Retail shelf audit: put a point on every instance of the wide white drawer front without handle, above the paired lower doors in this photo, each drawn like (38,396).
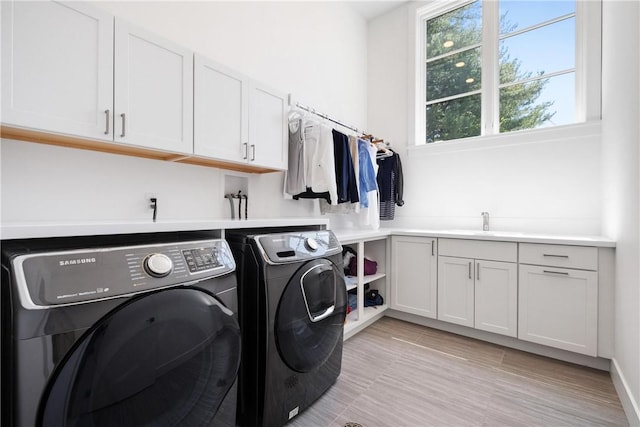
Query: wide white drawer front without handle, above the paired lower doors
(479,249)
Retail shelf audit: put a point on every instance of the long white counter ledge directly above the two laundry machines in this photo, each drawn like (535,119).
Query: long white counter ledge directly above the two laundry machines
(38,230)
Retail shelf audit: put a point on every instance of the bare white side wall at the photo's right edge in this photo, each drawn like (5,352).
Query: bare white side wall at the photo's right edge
(621,207)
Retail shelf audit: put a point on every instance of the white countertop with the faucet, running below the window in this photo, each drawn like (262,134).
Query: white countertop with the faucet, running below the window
(504,236)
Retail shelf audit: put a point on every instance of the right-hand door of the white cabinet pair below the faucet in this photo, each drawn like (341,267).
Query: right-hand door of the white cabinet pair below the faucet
(496,297)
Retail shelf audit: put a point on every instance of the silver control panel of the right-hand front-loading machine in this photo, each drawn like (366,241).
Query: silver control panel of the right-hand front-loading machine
(297,246)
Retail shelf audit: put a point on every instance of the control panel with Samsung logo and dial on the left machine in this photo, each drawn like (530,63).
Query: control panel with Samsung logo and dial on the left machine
(77,276)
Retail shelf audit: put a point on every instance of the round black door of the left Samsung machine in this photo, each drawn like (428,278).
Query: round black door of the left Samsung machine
(167,358)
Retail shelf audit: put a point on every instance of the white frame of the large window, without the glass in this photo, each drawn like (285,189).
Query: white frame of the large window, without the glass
(587,71)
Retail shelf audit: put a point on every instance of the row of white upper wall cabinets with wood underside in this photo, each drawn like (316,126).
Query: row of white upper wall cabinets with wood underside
(71,70)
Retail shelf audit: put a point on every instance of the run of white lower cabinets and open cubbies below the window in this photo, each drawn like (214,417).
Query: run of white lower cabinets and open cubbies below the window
(550,294)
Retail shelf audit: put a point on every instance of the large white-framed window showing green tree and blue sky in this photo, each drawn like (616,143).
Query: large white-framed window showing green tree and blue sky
(491,67)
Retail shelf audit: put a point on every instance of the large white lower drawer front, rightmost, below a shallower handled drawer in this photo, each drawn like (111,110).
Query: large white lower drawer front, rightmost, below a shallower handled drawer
(558,308)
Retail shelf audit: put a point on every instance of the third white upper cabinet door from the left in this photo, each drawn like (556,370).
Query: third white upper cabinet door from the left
(221,112)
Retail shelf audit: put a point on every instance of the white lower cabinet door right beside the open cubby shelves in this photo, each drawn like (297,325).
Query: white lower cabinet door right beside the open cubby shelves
(414,275)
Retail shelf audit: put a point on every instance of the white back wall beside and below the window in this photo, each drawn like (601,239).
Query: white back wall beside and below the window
(536,183)
